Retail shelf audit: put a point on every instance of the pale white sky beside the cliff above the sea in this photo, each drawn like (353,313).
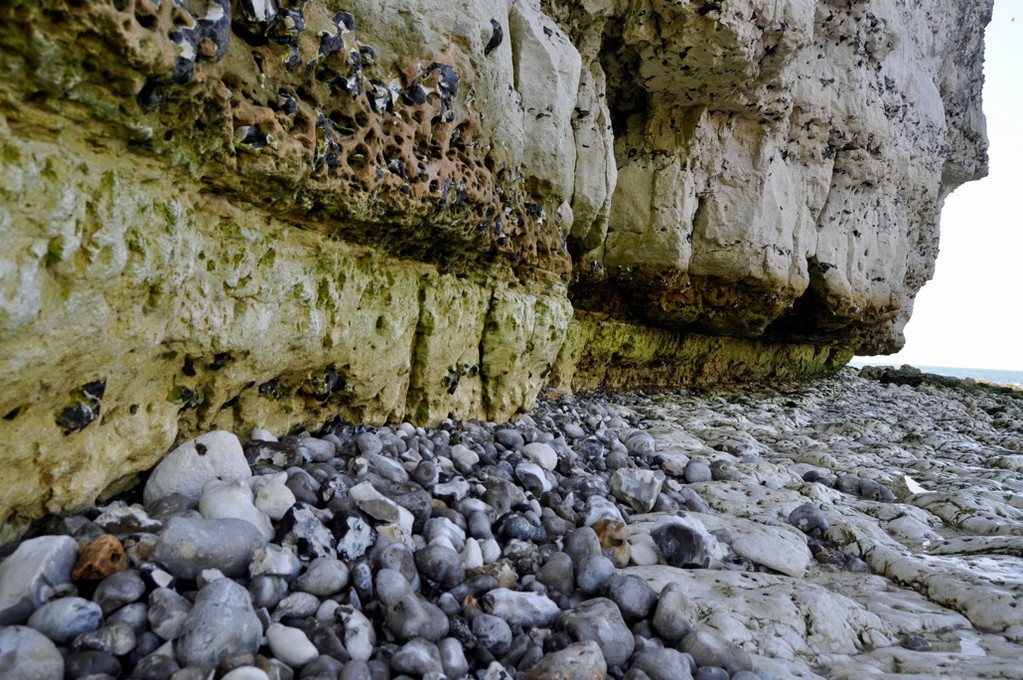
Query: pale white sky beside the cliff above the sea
(970,315)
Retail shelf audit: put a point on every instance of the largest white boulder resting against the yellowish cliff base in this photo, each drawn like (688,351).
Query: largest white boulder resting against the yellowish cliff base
(215,456)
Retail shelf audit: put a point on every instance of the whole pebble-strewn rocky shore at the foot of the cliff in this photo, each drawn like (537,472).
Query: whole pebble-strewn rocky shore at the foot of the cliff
(848,528)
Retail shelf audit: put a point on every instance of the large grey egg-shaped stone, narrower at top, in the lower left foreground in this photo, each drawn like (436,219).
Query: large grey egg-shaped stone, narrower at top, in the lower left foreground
(221,622)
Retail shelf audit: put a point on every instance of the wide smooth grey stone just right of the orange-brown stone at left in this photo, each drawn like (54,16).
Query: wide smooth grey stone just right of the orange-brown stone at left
(189,546)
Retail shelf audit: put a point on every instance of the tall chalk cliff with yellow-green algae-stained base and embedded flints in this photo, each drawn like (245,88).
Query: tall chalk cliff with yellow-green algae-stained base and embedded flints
(279,212)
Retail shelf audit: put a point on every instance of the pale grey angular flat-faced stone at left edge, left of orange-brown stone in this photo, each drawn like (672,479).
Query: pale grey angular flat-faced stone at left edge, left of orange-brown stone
(37,571)
